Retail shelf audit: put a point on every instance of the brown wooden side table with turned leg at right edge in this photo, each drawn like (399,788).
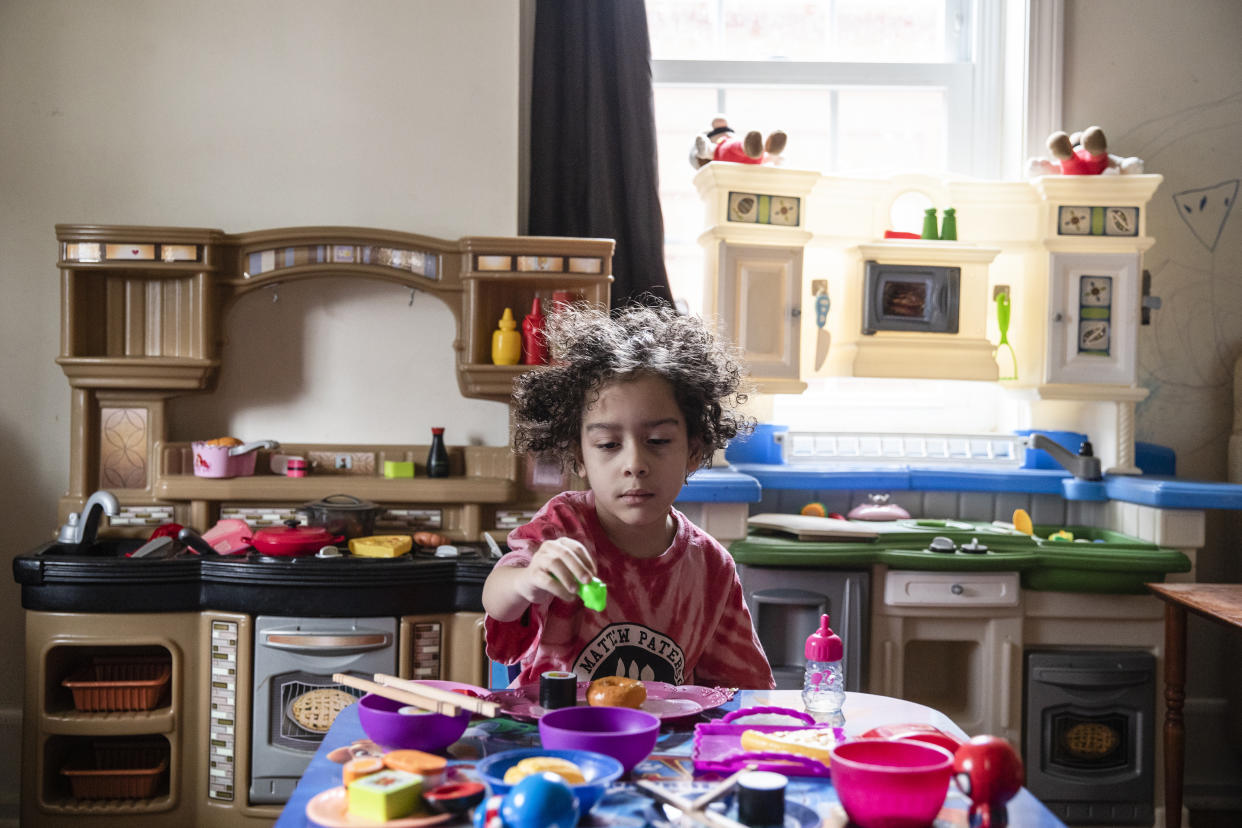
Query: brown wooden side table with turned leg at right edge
(1220,603)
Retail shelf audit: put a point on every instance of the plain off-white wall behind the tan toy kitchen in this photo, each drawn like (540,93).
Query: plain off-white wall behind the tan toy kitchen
(244,116)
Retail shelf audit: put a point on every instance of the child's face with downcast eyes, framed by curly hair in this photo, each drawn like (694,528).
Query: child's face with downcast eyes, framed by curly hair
(635,455)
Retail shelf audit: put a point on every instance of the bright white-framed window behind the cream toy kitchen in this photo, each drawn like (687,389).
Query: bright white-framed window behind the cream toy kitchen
(860,86)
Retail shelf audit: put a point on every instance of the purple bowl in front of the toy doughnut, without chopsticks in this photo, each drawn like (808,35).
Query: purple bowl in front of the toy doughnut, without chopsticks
(625,734)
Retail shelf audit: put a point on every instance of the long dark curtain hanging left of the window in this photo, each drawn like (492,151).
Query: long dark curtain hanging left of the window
(593,138)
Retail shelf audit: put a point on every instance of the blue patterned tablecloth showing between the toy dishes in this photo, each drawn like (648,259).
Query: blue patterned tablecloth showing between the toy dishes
(669,763)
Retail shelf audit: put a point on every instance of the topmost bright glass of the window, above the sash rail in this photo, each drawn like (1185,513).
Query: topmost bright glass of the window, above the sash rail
(800,30)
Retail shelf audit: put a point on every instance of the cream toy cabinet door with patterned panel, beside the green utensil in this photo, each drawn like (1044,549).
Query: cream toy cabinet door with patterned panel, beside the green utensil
(1094,311)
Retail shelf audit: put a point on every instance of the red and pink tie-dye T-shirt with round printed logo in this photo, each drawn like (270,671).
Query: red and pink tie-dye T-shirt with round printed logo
(679,618)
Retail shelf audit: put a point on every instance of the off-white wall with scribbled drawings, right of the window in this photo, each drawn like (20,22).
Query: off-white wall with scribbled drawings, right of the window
(1164,81)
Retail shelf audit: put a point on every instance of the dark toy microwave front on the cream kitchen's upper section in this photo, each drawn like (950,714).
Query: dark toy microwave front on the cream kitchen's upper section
(911,299)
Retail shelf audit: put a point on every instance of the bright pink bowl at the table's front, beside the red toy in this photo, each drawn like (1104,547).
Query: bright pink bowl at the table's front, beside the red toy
(891,784)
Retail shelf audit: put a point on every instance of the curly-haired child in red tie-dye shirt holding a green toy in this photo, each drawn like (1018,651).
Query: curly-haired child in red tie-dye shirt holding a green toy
(635,403)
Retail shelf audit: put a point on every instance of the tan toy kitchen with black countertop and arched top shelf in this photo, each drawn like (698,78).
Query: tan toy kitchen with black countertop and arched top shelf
(191,690)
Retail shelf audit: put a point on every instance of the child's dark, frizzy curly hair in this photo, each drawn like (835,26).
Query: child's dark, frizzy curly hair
(589,349)
